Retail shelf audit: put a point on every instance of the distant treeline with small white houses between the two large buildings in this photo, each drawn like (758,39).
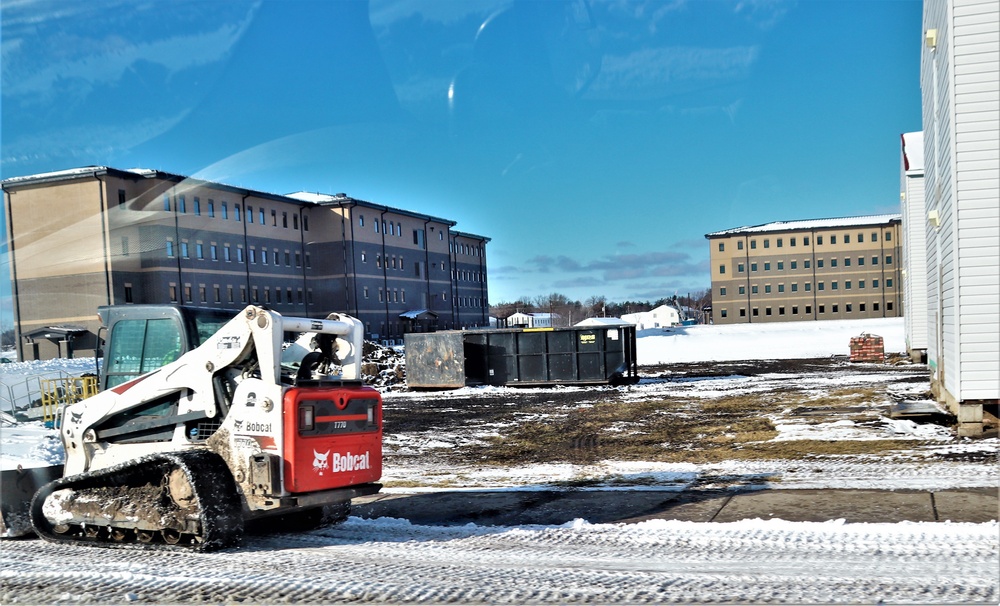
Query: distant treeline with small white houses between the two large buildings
(570,312)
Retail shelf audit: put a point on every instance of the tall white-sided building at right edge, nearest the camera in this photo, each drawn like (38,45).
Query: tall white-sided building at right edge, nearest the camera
(959,83)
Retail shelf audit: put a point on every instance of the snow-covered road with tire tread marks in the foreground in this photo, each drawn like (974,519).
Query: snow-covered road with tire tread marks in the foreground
(658,561)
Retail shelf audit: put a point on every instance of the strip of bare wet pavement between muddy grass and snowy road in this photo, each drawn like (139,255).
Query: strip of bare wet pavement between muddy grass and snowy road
(549,507)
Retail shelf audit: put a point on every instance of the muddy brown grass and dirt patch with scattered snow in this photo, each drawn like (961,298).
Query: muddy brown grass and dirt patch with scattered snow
(585,424)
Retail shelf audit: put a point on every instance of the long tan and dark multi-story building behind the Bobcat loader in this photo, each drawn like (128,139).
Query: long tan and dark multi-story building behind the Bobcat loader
(97,236)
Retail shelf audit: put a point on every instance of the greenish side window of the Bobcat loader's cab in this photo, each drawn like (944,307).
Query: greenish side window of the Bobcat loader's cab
(140,346)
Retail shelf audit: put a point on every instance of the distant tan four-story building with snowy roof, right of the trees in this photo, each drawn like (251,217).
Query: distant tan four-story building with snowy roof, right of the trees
(825,269)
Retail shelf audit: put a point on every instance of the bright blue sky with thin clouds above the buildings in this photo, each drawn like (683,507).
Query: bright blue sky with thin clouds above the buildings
(595,143)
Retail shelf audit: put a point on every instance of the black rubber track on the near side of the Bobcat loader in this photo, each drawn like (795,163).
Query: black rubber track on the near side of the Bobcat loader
(220,504)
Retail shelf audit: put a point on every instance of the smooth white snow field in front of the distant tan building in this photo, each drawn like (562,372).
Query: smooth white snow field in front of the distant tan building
(765,341)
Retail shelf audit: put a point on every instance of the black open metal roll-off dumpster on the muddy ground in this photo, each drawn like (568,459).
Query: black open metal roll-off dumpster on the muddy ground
(532,356)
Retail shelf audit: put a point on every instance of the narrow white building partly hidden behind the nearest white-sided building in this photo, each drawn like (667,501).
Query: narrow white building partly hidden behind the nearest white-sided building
(914,273)
